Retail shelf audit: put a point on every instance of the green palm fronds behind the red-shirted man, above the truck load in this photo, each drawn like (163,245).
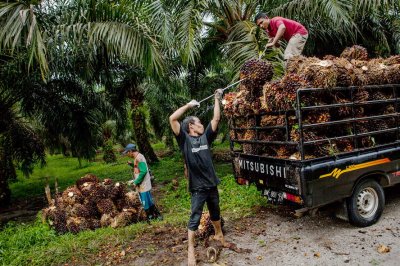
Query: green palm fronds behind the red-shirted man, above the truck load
(330,22)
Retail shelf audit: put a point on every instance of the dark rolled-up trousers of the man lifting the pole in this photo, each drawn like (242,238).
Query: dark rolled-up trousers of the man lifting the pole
(209,196)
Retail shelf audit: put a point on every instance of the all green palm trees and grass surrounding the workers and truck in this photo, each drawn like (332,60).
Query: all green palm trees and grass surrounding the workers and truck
(79,79)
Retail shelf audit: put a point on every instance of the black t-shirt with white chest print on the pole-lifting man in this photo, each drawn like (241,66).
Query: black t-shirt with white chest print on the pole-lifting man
(198,158)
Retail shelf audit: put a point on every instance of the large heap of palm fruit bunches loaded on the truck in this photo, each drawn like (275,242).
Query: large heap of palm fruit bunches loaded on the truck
(261,103)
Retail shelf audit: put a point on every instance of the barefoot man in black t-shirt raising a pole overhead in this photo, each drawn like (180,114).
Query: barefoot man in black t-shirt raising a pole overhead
(194,143)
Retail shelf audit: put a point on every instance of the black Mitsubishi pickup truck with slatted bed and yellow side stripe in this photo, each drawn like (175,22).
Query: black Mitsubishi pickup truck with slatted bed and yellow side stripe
(354,175)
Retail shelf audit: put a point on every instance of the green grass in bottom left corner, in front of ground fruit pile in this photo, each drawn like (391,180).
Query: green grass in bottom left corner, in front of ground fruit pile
(37,244)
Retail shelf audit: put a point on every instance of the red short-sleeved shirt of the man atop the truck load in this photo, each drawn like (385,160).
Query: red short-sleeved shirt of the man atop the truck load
(292,27)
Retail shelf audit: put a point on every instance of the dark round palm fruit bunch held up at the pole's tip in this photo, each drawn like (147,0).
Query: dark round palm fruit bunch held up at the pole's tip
(256,72)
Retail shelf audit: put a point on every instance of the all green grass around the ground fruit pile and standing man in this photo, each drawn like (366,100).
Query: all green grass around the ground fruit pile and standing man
(37,244)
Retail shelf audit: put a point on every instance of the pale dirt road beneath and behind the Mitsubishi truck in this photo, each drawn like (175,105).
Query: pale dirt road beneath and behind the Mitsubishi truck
(278,239)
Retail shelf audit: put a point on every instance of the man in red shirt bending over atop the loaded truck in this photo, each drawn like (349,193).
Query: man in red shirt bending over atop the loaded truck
(277,28)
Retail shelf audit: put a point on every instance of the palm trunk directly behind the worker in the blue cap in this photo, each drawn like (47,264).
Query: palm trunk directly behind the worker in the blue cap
(140,132)
